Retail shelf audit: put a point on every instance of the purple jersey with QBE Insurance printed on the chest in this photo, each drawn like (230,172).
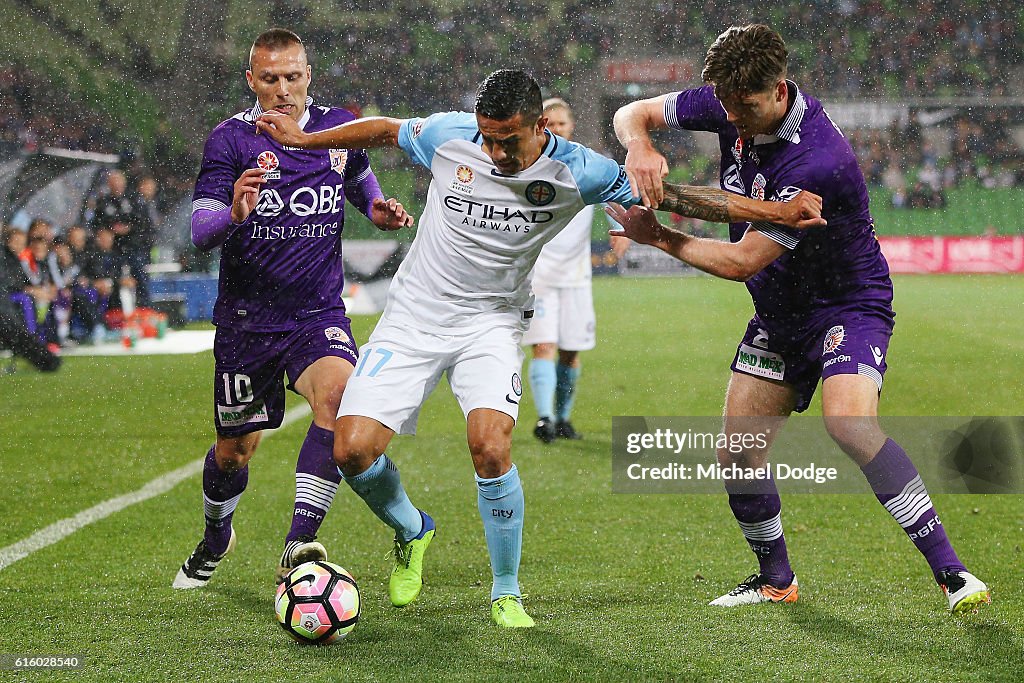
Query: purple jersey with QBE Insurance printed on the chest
(283,264)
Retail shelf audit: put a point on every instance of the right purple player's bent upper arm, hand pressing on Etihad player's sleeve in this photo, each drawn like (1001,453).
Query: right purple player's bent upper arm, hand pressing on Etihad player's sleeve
(646,167)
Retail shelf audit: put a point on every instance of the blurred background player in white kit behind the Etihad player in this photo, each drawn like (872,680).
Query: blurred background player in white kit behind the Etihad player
(564,320)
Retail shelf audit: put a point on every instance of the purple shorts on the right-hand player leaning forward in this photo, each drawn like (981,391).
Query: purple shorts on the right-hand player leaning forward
(846,345)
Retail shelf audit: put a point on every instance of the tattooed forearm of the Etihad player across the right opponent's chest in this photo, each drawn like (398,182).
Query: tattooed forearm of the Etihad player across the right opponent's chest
(803,211)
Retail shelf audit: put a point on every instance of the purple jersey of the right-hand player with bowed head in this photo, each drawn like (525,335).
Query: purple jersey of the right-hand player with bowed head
(825,271)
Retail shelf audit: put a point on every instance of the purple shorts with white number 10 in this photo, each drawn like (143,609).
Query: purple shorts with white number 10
(250,367)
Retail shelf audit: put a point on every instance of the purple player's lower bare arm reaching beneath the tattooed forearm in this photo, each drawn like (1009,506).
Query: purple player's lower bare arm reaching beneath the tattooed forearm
(739,262)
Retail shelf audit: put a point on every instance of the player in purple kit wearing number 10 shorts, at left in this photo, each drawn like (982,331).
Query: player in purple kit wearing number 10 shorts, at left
(278,215)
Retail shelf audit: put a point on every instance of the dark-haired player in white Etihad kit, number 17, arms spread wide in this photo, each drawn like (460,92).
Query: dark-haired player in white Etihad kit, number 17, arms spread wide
(502,188)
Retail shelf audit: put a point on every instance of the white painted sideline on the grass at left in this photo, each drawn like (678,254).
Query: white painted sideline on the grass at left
(62,530)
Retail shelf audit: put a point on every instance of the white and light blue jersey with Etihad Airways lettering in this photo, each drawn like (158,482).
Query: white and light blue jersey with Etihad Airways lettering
(482,232)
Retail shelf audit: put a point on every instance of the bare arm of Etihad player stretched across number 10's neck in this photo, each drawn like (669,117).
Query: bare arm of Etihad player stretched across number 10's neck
(369,133)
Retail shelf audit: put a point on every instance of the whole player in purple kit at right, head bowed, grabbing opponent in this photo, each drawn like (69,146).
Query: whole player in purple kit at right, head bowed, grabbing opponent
(822,297)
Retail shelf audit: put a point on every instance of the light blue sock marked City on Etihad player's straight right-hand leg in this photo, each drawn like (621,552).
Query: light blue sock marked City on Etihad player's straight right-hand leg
(501,505)
